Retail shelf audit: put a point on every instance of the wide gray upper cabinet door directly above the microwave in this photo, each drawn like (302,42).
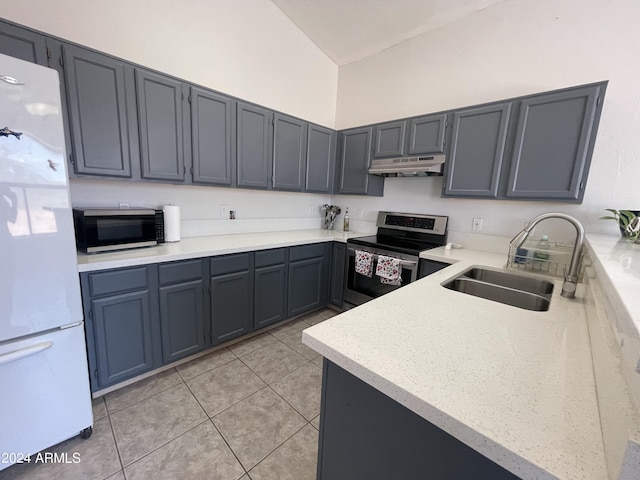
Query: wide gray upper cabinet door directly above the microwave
(99,115)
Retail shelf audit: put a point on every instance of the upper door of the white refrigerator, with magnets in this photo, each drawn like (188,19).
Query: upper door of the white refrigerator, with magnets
(39,286)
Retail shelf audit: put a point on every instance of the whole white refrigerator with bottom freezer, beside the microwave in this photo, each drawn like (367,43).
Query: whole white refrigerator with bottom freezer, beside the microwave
(44,384)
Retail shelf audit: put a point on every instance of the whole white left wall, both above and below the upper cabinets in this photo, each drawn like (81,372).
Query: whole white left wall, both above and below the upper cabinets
(245,48)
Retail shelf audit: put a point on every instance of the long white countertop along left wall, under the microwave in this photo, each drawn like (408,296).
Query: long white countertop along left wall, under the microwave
(208,246)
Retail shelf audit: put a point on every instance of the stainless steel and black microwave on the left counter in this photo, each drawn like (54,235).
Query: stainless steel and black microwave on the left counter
(109,229)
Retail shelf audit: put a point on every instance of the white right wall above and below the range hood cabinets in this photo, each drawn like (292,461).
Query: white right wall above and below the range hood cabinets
(514,48)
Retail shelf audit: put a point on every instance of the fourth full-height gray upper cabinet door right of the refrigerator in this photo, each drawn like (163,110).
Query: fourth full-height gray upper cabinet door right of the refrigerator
(253,146)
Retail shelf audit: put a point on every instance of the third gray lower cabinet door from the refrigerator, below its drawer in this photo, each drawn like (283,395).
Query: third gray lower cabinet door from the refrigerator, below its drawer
(231,306)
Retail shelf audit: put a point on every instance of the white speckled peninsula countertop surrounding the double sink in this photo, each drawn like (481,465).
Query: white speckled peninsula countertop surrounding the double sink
(515,385)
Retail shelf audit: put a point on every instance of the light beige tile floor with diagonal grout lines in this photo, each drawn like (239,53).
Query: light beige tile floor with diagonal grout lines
(246,412)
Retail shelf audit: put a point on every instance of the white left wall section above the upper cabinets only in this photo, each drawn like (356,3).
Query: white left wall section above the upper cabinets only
(245,48)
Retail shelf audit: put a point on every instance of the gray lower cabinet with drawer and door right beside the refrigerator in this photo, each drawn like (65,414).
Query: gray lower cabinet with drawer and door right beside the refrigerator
(123,334)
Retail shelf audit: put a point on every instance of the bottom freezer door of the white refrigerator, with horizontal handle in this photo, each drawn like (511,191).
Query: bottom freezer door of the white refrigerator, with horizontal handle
(45,391)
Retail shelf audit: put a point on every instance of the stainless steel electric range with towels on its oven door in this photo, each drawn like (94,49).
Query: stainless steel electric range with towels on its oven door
(400,235)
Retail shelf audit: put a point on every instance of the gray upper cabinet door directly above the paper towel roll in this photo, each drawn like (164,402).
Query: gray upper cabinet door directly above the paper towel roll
(160,124)
